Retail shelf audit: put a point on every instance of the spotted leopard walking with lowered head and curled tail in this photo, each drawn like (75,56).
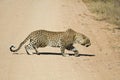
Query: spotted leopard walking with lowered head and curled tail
(62,39)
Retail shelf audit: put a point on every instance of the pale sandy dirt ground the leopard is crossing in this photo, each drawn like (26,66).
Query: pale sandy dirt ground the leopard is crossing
(20,17)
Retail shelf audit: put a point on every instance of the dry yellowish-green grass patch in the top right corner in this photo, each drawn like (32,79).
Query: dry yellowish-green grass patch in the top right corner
(108,10)
